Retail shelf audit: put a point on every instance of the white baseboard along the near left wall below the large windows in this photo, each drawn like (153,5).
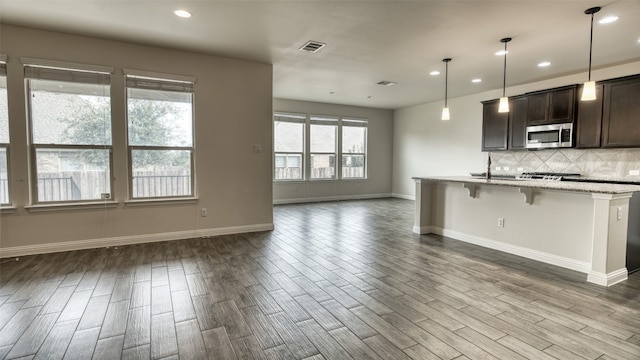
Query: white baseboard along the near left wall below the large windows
(18,251)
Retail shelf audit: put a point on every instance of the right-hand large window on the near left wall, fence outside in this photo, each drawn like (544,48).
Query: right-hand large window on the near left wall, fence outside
(160,137)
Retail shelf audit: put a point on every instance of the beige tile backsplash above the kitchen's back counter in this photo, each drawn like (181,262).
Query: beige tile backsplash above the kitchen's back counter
(595,163)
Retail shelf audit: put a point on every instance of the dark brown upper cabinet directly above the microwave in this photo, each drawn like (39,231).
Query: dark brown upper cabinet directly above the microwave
(551,106)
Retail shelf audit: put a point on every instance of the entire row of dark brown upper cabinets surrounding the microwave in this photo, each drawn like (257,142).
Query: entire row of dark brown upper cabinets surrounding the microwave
(610,121)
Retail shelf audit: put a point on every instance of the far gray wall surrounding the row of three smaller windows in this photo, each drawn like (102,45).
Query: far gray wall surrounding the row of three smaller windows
(379,153)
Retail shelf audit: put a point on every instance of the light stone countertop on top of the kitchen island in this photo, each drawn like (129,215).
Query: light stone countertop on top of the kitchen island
(585,187)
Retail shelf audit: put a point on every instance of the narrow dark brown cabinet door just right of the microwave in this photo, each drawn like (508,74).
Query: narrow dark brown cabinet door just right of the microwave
(589,120)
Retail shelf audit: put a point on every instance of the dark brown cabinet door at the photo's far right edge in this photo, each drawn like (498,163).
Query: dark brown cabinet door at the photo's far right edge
(621,113)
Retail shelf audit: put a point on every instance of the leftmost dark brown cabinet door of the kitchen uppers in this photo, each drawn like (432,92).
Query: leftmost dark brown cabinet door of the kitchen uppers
(495,127)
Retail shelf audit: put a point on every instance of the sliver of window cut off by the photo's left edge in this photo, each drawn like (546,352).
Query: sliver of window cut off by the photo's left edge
(4,136)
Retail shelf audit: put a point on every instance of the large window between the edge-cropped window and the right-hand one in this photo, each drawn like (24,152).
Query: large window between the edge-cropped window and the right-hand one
(70,134)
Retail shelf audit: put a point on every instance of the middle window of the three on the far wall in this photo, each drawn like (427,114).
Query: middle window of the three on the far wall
(323,132)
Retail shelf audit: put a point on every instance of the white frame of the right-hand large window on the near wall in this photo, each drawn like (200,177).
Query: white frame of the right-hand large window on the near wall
(160,82)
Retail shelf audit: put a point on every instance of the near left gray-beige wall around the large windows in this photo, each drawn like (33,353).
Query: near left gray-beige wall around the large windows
(233,111)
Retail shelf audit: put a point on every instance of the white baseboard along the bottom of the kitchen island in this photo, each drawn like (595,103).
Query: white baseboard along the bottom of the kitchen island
(567,263)
